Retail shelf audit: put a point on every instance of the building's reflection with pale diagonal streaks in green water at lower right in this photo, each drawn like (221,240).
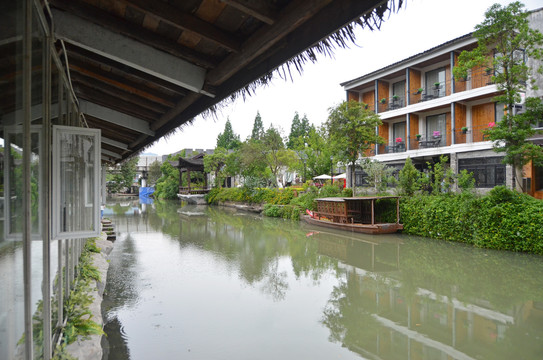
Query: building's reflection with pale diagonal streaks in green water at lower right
(399,319)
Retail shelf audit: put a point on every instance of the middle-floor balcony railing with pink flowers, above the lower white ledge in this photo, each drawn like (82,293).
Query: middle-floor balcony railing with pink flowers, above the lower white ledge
(427,141)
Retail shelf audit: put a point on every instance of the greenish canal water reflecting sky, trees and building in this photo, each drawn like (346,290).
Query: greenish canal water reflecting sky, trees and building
(212,283)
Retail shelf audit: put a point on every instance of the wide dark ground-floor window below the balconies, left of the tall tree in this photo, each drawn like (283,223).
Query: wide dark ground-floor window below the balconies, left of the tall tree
(487,172)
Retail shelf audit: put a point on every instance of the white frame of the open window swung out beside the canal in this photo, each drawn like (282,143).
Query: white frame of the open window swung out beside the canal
(58,234)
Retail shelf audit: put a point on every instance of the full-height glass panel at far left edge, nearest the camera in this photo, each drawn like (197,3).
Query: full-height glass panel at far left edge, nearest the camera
(11,254)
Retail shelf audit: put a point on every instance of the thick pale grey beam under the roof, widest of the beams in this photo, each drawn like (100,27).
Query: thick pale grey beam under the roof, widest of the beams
(125,50)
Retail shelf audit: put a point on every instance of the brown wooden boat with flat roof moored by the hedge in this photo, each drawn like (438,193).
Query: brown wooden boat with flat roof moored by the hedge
(369,215)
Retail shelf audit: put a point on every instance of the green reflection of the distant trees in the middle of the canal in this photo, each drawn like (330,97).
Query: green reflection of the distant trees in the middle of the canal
(247,241)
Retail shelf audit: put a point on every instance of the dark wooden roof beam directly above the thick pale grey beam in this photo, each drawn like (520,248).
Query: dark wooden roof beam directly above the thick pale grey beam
(121,26)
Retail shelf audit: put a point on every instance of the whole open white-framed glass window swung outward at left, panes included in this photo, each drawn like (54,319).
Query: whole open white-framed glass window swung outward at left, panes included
(77,170)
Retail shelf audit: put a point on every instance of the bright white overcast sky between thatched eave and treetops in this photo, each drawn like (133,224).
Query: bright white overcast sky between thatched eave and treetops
(418,26)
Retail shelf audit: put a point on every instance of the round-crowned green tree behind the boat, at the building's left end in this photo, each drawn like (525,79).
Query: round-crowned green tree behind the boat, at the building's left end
(351,130)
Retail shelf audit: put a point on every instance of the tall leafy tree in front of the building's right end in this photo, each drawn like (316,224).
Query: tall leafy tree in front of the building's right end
(504,40)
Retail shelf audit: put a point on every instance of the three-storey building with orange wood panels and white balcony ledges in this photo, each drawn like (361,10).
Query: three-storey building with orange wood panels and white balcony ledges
(427,113)
